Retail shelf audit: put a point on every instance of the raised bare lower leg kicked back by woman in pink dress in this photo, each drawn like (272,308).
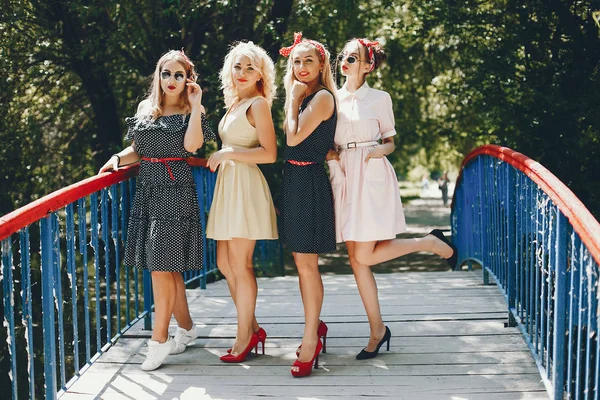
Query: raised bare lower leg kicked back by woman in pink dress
(377,252)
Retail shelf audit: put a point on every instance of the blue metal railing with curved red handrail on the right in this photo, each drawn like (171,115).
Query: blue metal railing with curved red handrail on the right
(525,228)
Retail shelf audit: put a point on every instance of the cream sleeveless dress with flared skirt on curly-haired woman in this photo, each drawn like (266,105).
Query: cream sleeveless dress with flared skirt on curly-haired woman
(242,206)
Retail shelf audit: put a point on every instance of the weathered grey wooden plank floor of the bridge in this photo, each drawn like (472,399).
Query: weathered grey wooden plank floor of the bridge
(448,342)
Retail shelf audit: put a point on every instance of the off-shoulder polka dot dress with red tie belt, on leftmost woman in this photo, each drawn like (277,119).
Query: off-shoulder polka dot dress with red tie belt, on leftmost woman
(164,232)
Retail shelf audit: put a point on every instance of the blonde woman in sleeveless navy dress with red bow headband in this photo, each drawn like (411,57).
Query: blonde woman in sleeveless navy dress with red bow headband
(307,227)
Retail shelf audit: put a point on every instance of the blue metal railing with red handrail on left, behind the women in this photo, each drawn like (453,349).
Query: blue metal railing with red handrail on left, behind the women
(62,275)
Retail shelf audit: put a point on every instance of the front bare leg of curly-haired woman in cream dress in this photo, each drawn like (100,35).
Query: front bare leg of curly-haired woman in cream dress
(245,290)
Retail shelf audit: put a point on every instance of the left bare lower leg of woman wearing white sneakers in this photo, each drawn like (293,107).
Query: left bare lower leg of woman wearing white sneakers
(164,289)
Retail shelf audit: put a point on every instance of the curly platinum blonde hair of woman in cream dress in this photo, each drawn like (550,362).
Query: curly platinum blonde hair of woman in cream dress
(260,60)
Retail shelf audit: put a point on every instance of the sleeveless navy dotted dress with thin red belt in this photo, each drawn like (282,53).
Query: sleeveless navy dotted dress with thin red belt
(308,223)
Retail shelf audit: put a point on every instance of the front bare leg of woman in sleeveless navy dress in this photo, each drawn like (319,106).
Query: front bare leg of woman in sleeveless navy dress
(311,289)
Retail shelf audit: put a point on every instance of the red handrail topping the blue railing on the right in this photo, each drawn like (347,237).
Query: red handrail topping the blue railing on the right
(583,222)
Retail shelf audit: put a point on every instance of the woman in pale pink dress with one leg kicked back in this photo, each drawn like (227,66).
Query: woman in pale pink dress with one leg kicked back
(368,209)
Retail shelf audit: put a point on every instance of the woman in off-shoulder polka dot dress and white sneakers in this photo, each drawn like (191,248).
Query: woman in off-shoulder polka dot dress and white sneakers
(164,232)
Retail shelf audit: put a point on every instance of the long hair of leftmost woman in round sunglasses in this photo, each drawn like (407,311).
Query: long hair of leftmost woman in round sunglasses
(156,94)
